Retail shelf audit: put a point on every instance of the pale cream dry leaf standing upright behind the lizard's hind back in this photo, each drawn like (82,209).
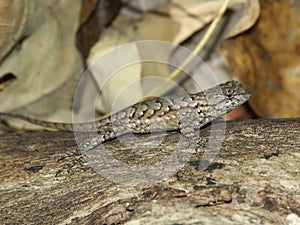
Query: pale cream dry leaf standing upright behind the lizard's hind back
(113,70)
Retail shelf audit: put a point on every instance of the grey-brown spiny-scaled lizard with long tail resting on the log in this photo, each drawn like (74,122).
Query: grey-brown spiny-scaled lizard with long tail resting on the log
(184,113)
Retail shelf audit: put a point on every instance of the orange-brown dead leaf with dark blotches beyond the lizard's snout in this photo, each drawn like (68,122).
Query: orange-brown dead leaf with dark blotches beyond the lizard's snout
(266,59)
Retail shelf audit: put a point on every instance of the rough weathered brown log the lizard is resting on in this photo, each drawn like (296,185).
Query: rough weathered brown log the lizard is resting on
(254,179)
